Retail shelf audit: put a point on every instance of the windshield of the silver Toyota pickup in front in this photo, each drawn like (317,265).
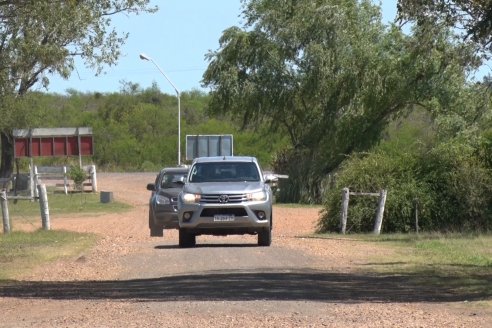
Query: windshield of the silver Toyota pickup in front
(224,171)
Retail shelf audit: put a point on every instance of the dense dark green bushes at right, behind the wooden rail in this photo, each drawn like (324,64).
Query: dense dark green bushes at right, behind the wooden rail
(452,189)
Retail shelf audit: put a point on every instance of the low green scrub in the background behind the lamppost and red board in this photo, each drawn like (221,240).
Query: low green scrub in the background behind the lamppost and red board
(135,129)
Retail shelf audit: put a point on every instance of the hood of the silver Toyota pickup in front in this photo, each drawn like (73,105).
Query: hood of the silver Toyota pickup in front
(223,187)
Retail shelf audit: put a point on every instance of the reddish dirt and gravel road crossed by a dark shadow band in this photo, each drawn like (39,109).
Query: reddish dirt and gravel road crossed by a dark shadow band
(132,280)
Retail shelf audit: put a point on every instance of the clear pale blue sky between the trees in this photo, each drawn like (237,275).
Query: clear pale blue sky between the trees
(177,37)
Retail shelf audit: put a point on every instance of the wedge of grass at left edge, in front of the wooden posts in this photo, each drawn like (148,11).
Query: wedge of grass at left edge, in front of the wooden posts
(21,251)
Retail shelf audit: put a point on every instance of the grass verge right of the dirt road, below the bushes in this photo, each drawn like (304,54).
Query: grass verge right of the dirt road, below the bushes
(458,264)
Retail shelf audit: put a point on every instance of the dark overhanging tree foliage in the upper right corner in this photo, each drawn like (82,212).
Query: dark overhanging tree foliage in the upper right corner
(473,17)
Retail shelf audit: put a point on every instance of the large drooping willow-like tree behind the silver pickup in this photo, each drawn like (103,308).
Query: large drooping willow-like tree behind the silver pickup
(330,75)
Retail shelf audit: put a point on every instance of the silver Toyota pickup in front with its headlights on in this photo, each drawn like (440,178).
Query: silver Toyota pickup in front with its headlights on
(225,196)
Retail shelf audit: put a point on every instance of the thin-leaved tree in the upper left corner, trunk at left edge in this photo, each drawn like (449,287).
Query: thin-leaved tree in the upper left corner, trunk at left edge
(35,43)
